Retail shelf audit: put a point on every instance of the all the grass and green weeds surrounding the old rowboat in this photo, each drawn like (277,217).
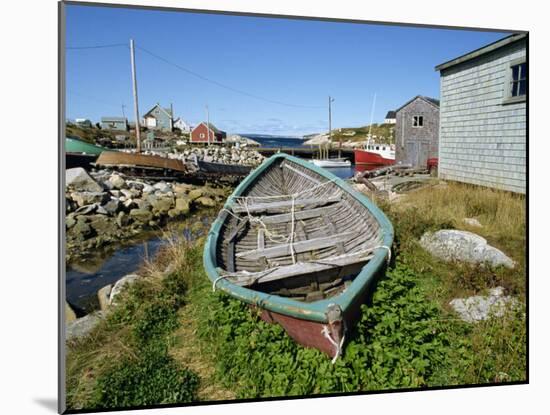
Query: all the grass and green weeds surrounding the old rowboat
(172,340)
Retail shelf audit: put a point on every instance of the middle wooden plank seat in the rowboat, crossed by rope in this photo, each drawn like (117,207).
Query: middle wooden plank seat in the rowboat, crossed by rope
(298,246)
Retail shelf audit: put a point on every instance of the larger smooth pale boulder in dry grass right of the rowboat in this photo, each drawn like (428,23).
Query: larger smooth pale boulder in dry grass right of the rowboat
(451,244)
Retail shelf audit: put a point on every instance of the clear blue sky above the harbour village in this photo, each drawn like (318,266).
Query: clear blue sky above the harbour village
(295,62)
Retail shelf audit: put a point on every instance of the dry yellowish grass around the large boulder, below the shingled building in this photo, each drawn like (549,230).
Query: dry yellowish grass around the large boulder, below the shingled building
(444,206)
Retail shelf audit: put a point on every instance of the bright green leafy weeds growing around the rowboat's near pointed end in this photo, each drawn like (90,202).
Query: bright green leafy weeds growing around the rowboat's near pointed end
(397,344)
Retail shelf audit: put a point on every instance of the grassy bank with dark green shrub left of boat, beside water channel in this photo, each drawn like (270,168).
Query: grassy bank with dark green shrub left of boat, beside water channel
(126,360)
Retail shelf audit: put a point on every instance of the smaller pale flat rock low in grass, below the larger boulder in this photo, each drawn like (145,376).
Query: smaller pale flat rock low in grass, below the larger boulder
(478,308)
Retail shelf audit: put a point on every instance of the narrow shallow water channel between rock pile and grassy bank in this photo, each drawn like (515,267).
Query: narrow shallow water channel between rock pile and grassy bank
(85,277)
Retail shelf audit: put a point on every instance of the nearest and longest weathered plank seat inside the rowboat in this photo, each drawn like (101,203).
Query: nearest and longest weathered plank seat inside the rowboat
(246,279)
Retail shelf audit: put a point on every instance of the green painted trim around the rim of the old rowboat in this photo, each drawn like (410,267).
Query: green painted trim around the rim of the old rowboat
(314,311)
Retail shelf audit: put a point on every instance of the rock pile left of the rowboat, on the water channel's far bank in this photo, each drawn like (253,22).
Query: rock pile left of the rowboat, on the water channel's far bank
(108,207)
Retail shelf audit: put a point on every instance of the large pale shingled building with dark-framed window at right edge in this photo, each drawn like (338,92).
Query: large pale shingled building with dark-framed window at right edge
(483,135)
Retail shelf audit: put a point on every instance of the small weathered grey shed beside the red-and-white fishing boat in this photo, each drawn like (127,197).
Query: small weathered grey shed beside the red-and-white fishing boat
(417,131)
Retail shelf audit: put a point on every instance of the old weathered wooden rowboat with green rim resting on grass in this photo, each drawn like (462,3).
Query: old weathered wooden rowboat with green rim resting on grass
(303,246)
